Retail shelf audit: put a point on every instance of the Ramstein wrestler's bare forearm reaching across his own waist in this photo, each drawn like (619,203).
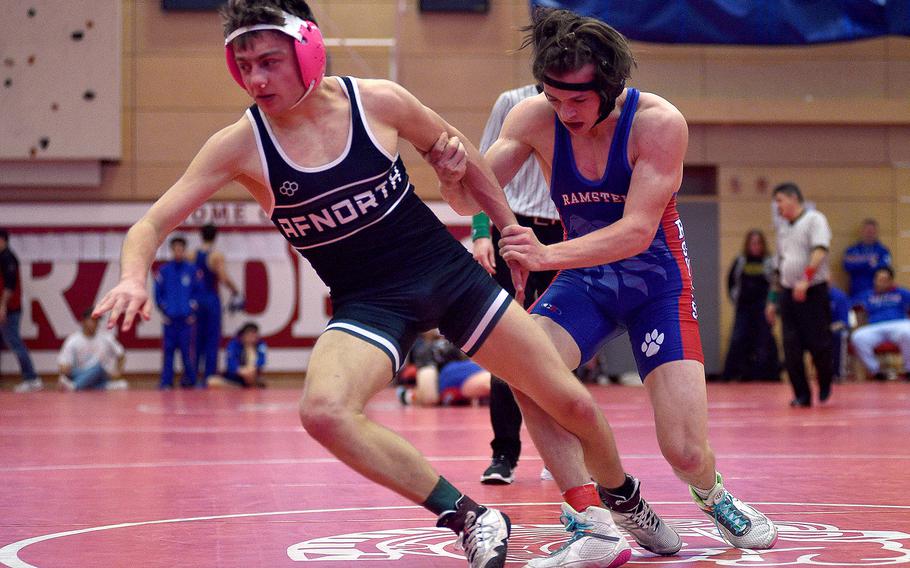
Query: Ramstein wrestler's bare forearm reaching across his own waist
(603,246)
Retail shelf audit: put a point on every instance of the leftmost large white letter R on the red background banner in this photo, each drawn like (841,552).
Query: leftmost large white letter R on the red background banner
(48,292)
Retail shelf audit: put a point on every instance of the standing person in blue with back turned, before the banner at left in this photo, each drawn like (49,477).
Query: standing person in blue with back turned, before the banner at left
(208,317)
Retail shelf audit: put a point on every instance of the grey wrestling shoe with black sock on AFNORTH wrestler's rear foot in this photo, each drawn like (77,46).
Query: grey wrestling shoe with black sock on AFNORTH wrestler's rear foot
(636,517)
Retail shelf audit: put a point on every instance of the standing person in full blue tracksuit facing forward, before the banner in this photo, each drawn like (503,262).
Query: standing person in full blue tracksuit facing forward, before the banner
(177,285)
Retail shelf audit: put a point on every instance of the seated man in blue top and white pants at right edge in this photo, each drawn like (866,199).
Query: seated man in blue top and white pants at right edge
(886,307)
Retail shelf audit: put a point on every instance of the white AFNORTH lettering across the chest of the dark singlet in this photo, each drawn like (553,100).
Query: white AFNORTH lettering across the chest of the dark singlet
(344,211)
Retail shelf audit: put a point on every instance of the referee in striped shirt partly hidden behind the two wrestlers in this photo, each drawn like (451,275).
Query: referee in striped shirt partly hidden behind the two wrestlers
(529,198)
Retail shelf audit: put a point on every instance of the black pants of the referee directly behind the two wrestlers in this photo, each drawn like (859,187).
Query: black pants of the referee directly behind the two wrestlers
(504,413)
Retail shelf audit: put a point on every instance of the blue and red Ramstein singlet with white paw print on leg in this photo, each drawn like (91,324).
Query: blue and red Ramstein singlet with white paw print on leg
(650,294)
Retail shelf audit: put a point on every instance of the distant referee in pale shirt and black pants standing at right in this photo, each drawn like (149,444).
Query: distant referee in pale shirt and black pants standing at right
(803,242)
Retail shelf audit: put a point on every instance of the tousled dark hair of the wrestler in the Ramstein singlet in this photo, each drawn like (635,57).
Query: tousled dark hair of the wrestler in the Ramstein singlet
(564,41)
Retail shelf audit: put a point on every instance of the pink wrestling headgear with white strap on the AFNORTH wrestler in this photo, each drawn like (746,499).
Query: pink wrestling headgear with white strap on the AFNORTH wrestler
(309,48)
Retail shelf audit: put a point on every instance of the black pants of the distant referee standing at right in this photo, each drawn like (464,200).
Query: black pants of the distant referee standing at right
(807,327)
